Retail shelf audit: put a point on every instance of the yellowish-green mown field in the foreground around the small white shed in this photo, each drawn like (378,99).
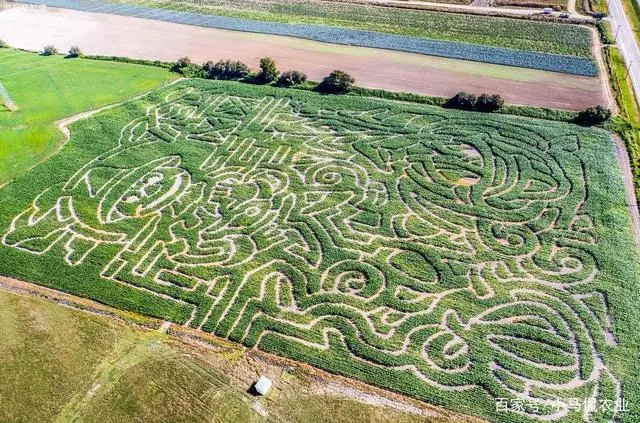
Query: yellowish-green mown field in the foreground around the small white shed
(62,365)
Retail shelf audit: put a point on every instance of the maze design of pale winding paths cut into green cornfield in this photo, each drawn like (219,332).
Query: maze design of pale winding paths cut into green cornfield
(453,249)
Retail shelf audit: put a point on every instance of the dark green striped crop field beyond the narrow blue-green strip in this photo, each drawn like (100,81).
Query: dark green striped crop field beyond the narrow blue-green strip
(502,32)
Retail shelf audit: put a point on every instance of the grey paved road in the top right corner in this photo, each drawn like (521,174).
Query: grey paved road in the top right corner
(626,41)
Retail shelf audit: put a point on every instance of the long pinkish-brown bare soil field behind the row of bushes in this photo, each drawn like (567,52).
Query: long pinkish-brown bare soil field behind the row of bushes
(102,34)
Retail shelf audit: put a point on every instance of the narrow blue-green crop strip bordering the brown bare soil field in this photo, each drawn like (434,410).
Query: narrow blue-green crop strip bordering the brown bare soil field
(572,64)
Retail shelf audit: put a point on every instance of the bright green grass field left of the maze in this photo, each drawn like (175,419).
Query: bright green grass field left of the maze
(47,89)
